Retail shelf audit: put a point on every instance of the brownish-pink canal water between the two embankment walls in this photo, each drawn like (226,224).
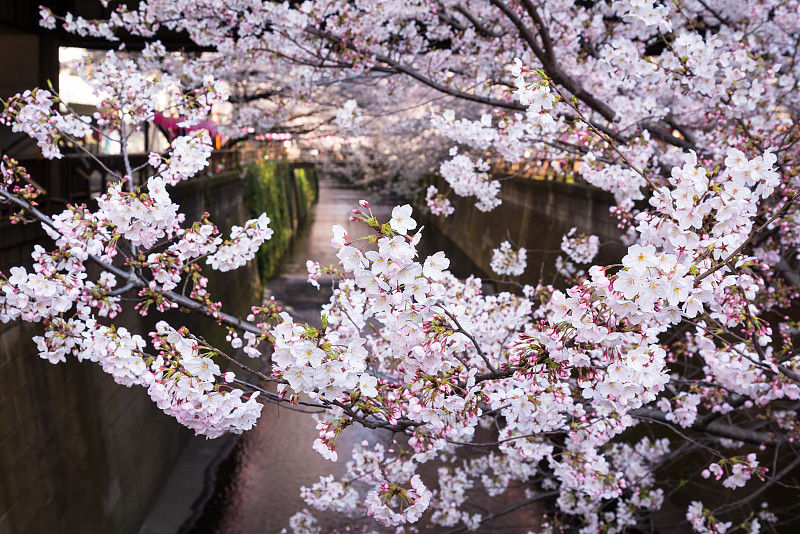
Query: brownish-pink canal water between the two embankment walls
(251,484)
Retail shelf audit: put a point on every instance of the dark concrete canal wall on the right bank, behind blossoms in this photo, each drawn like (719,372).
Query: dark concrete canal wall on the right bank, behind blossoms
(534,214)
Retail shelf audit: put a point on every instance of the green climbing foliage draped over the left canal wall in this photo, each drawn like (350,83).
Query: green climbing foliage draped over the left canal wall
(270,187)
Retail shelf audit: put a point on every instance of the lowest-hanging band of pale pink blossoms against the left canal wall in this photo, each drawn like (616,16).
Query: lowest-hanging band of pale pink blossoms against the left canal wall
(179,380)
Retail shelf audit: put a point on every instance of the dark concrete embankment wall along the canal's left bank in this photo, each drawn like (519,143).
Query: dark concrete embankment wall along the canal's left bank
(78,452)
